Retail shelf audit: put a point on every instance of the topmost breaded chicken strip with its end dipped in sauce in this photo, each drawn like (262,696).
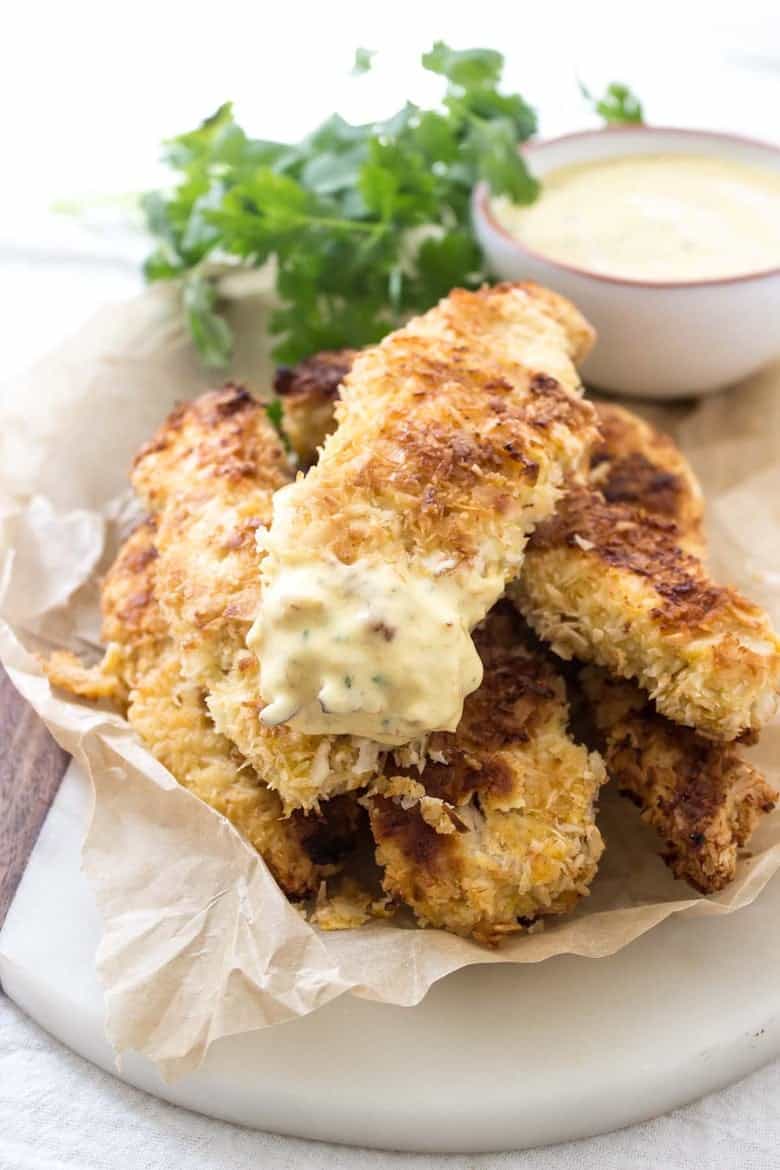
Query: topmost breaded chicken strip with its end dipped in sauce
(454,437)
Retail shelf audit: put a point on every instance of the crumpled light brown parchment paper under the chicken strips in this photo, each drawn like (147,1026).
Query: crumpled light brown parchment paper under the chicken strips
(198,940)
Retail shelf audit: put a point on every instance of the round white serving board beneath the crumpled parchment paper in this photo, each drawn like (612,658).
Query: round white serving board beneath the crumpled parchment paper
(495,1058)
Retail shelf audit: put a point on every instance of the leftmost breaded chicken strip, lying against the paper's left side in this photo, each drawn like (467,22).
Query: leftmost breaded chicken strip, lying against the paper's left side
(169,714)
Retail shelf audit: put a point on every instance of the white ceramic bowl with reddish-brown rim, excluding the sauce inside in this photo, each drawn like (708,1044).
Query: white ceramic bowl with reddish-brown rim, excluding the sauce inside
(657,339)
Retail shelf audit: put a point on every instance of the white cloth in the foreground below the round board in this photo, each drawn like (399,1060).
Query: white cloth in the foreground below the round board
(60,1113)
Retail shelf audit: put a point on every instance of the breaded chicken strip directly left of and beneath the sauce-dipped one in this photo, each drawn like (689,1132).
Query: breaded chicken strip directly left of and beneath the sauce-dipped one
(210,474)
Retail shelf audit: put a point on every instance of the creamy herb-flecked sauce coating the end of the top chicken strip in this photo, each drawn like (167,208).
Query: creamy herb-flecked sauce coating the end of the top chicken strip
(355,649)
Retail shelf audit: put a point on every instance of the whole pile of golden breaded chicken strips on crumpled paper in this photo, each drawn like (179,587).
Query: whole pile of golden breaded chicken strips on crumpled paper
(299,652)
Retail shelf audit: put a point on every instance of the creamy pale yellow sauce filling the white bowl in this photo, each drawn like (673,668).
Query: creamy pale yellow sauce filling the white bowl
(654,217)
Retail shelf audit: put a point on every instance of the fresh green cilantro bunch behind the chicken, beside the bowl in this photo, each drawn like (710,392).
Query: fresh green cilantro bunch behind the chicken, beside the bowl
(368,224)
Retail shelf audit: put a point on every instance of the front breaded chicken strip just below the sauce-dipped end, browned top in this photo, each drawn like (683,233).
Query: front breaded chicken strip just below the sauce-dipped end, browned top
(520,795)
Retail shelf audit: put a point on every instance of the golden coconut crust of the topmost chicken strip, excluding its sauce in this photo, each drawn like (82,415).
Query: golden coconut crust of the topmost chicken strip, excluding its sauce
(454,437)
